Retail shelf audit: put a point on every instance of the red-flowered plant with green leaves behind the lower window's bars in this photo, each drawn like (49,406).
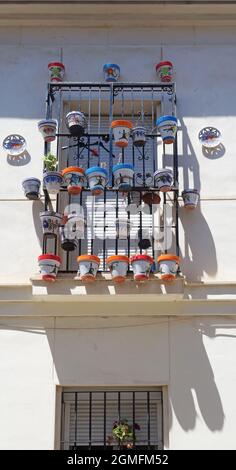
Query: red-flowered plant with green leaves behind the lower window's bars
(123,433)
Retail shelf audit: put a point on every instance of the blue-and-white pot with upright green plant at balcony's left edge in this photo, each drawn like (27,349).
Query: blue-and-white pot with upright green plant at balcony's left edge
(52,179)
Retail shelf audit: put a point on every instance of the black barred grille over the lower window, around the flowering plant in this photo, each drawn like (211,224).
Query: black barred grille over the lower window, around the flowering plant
(88,418)
